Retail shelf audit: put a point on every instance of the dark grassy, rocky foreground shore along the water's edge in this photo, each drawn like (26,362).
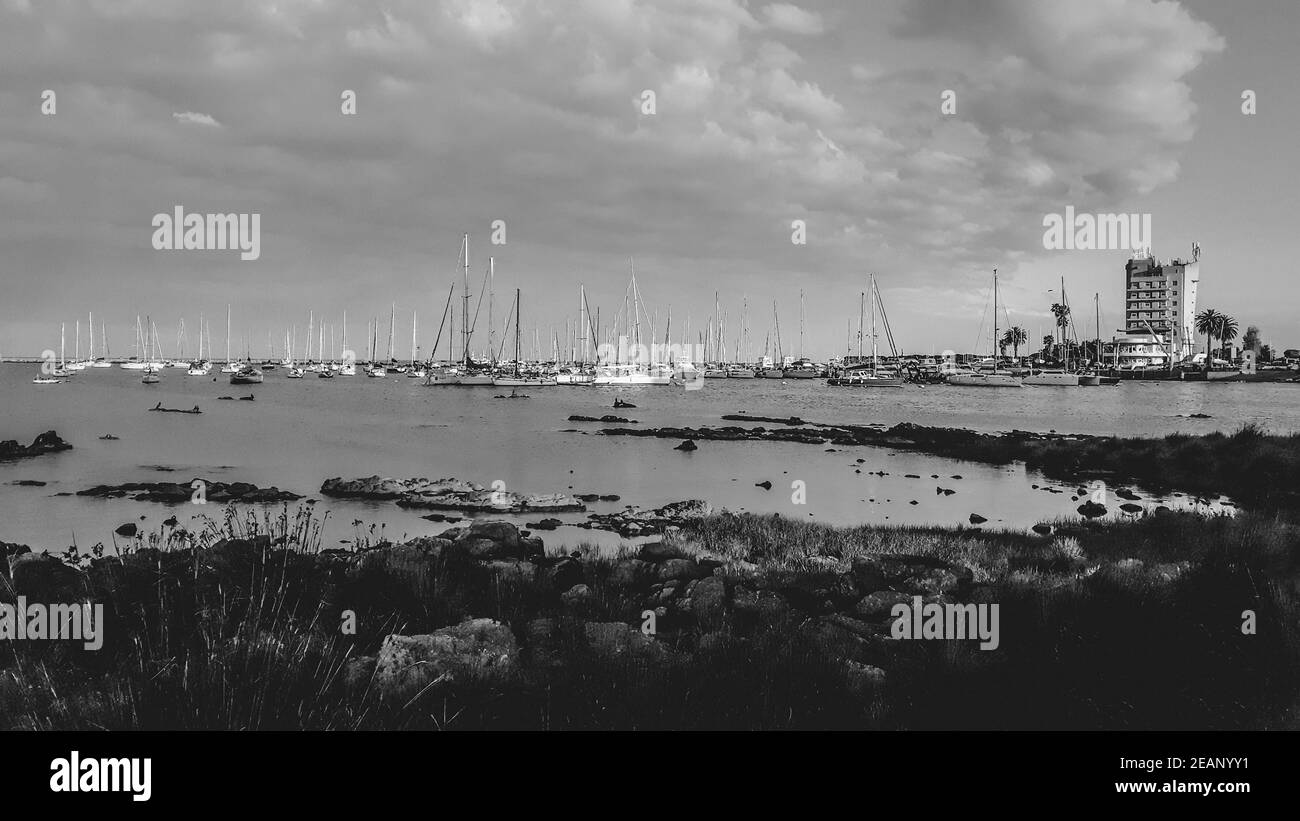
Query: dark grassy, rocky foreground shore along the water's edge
(761,623)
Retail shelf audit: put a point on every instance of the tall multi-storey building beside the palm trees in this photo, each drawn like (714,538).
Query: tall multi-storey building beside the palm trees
(1162,298)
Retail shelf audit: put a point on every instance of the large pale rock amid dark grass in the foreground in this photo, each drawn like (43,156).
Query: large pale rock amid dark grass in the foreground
(480,651)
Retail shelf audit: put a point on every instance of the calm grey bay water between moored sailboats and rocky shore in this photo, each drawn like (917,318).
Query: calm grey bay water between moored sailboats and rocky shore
(301,432)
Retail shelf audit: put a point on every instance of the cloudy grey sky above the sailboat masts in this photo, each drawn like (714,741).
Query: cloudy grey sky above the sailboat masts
(531,112)
